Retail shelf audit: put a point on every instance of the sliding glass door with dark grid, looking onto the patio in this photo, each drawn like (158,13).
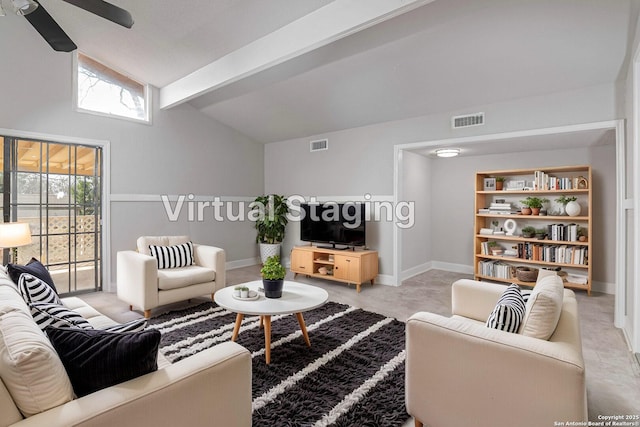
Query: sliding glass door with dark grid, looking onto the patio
(56,188)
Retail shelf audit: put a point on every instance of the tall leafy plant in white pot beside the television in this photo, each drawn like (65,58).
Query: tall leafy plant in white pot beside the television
(271,219)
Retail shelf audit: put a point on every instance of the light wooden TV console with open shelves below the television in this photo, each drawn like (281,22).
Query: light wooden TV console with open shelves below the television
(348,266)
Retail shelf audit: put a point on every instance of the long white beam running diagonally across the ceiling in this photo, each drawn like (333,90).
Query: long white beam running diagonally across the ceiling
(328,24)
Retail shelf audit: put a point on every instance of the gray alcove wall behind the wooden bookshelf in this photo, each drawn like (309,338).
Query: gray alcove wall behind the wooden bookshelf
(452,201)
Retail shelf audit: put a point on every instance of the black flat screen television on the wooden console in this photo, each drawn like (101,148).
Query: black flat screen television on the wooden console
(333,223)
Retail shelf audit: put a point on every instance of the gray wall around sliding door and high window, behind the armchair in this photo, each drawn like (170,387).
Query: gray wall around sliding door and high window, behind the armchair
(181,152)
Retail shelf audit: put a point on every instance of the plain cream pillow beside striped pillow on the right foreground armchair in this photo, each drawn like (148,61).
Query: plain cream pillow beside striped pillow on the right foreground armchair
(543,308)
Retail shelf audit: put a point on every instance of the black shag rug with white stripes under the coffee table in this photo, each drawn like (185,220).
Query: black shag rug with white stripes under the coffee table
(352,375)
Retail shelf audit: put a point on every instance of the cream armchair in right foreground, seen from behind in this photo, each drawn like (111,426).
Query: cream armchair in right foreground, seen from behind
(459,372)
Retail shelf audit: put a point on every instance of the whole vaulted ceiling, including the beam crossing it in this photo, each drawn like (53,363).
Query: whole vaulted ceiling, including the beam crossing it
(280,69)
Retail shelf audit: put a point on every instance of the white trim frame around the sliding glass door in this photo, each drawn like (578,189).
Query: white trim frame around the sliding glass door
(106,187)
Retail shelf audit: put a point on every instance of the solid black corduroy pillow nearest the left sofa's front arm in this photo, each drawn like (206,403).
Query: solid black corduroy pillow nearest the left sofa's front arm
(96,359)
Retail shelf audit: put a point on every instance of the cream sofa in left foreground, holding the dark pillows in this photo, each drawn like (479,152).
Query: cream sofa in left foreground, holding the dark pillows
(212,387)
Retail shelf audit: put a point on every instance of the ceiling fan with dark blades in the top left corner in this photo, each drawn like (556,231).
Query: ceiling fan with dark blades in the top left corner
(49,29)
